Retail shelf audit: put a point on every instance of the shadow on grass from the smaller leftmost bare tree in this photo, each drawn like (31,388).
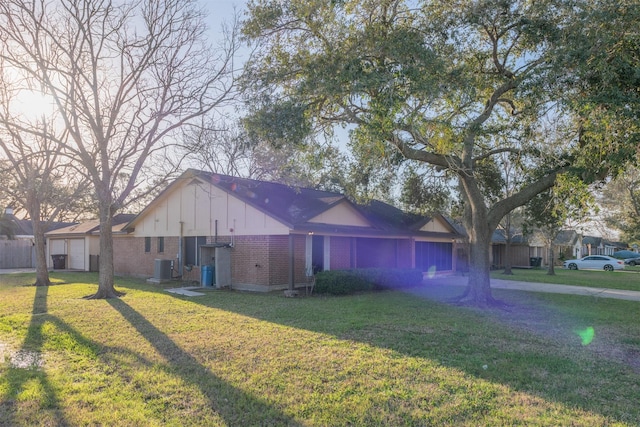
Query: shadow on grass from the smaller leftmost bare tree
(25,372)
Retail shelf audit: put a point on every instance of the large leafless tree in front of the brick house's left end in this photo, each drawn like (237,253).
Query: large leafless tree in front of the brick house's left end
(125,76)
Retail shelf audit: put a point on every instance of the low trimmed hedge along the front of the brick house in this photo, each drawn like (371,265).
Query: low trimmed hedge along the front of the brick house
(344,282)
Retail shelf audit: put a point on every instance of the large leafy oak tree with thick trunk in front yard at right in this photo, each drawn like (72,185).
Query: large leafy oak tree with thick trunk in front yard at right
(450,84)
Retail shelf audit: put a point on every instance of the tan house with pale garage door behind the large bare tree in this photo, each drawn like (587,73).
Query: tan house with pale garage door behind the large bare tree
(77,247)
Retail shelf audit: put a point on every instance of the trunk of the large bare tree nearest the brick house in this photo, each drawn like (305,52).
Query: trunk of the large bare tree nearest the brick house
(106,287)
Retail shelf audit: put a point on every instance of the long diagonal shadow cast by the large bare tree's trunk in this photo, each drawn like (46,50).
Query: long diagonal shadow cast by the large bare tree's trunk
(234,405)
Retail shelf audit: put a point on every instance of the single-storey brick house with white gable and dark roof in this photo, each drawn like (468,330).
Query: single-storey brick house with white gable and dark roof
(265,236)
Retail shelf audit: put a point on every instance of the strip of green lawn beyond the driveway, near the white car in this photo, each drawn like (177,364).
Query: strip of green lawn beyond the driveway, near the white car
(629,278)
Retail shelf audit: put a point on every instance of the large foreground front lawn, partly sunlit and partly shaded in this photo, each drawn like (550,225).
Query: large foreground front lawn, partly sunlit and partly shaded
(391,358)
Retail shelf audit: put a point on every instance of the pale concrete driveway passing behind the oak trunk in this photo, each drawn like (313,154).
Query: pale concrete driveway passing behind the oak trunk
(541,287)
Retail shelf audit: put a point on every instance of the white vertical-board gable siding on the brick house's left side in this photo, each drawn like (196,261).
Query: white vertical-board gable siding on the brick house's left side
(198,205)
